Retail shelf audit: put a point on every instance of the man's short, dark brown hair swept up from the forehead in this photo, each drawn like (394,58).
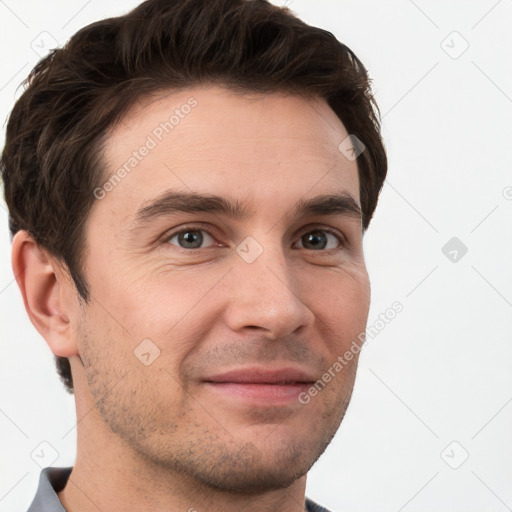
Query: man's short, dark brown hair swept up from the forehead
(51,160)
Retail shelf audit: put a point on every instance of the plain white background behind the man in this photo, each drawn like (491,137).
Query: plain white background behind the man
(441,370)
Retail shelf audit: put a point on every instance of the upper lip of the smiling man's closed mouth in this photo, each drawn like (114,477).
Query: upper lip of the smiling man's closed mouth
(259,375)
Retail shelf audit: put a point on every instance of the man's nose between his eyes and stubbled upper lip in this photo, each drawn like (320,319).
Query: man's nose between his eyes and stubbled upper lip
(265,295)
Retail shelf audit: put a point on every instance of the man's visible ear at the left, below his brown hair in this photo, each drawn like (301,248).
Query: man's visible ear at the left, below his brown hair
(47,292)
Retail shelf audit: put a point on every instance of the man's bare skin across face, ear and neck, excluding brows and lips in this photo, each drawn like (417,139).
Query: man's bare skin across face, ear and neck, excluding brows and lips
(155,437)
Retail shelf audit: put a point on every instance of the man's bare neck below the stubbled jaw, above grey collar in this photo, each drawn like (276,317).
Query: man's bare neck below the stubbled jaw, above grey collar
(94,486)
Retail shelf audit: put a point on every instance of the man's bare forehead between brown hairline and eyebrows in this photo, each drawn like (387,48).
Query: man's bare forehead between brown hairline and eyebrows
(251,147)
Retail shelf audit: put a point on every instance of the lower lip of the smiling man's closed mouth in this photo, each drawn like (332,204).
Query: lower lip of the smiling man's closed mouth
(268,393)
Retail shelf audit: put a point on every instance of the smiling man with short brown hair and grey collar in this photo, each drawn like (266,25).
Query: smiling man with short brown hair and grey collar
(189,185)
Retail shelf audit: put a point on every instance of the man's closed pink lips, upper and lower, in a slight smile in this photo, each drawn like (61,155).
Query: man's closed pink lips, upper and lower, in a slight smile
(261,386)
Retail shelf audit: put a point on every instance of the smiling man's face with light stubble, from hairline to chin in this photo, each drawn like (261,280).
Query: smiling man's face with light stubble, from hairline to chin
(291,297)
